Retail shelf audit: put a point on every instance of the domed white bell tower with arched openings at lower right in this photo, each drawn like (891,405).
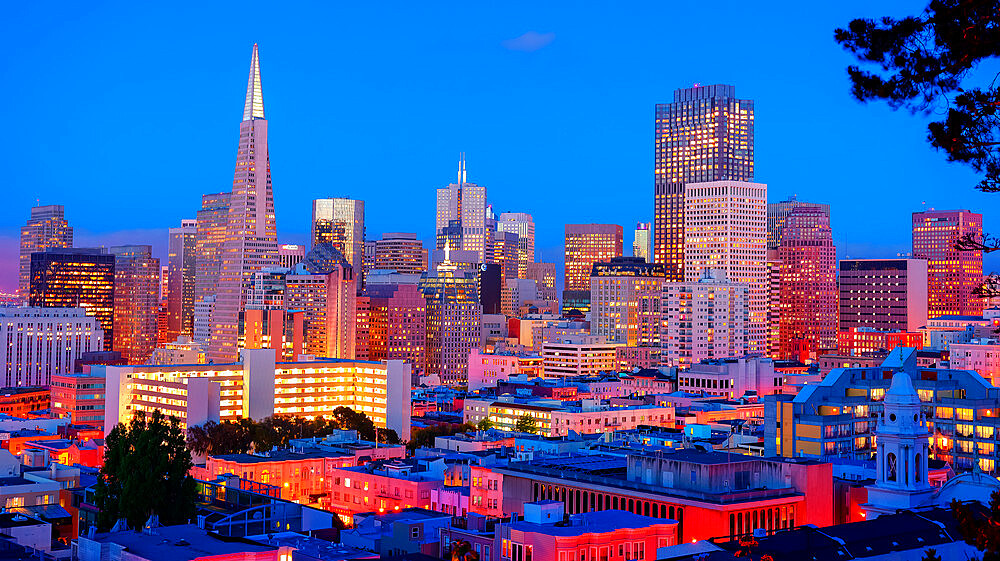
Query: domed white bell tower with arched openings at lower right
(901,471)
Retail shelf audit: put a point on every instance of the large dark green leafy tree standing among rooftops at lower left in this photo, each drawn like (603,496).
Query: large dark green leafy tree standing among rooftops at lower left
(146,465)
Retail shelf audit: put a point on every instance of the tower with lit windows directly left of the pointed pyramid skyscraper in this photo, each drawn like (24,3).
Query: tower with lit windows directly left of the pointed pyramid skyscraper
(209,237)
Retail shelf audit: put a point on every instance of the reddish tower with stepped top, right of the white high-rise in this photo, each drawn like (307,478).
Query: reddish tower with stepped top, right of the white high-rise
(807,321)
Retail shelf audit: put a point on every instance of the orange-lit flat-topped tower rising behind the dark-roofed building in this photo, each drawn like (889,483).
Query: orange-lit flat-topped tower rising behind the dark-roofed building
(586,244)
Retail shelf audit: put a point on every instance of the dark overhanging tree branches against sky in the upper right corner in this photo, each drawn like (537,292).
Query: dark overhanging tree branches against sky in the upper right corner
(925,62)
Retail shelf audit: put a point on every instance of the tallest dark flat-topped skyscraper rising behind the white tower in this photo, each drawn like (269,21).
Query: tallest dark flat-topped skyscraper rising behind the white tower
(705,134)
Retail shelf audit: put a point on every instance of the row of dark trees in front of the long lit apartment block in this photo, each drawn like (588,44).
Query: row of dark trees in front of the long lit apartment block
(246,435)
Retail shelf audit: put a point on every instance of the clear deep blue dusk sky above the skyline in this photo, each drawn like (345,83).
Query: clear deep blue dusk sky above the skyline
(126,113)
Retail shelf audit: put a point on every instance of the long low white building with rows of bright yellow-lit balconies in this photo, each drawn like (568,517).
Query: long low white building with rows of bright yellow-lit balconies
(257,387)
